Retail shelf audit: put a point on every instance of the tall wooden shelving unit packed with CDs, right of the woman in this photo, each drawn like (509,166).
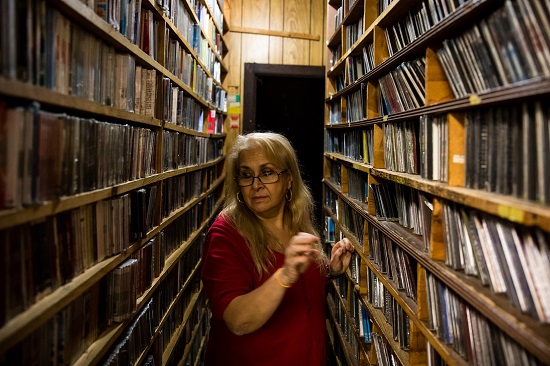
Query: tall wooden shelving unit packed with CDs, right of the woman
(413,219)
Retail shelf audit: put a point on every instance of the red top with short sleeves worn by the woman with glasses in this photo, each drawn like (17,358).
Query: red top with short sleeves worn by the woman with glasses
(294,335)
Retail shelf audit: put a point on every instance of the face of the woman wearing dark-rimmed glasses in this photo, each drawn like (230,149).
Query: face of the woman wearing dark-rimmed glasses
(265,200)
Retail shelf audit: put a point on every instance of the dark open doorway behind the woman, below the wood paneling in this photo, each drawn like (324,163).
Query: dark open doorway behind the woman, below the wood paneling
(290,100)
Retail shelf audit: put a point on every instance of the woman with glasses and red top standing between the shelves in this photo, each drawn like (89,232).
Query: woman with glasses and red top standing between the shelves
(264,270)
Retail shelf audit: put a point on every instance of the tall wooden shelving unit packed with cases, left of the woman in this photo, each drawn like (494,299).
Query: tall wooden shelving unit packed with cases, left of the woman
(70,150)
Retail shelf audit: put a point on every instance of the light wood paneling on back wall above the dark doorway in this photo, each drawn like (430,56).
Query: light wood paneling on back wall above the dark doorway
(293,16)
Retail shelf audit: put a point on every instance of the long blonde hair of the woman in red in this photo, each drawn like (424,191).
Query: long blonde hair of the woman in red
(298,211)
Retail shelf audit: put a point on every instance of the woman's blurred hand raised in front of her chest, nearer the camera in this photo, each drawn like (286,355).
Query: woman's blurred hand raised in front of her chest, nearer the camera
(299,254)
